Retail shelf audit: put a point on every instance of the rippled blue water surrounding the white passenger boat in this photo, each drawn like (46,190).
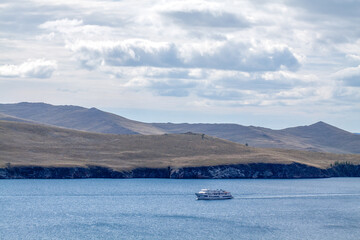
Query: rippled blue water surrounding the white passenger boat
(167,209)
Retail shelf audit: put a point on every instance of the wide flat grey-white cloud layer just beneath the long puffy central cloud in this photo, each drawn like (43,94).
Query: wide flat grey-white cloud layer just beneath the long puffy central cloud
(233,87)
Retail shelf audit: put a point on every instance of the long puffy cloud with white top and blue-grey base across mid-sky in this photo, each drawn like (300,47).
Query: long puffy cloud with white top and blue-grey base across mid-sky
(228,55)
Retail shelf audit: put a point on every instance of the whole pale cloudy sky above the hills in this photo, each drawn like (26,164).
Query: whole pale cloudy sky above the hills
(273,64)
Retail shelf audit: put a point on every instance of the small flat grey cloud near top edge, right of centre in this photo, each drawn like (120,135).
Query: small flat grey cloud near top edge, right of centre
(207,19)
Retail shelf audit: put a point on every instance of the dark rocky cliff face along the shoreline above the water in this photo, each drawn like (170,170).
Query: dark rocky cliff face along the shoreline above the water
(255,170)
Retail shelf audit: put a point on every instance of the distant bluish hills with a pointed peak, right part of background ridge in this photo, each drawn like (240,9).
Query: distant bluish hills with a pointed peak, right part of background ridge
(318,137)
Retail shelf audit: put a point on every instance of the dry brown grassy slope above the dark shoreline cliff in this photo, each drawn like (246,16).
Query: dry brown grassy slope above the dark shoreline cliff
(32,144)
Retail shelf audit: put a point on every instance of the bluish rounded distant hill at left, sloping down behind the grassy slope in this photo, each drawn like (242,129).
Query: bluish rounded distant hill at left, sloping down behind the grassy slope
(74,117)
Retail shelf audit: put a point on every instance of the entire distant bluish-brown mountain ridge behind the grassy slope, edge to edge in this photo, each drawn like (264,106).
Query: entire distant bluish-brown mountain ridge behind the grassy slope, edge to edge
(318,137)
